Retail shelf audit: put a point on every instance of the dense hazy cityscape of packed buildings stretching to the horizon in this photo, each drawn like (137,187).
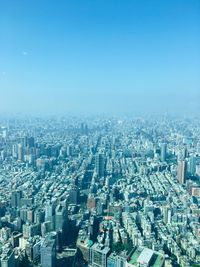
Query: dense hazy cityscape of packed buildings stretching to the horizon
(100,192)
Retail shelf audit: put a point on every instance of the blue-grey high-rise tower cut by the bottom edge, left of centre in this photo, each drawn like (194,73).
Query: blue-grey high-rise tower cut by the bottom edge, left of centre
(48,252)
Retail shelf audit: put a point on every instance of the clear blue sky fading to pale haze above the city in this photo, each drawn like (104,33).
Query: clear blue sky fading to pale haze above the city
(118,56)
